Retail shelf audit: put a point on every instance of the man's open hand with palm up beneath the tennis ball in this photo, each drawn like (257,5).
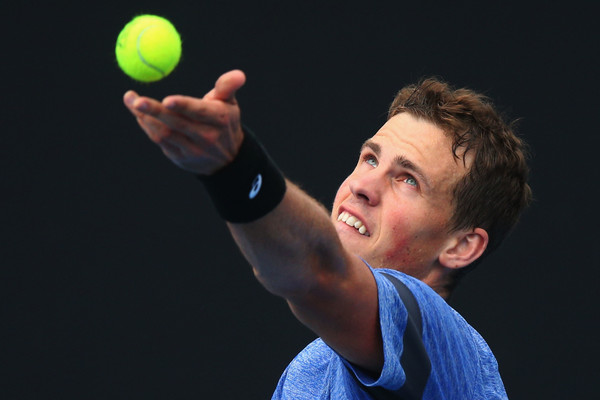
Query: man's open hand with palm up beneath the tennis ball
(198,135)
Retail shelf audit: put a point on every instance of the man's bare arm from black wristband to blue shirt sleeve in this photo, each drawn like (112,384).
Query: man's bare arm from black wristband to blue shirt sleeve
(296,254)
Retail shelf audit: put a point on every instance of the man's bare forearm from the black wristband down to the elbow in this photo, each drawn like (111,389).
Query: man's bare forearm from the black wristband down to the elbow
(293,247)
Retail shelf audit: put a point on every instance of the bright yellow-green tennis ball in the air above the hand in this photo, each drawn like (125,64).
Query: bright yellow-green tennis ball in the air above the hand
(148,48)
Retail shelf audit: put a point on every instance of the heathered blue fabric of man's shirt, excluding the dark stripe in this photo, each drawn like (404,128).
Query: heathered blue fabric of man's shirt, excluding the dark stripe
(462,364)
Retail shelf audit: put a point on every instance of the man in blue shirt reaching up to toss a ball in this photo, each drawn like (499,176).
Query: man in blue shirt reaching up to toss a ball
(433,191)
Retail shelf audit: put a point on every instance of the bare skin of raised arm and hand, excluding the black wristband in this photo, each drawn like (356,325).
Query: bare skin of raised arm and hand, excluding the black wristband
(294,249)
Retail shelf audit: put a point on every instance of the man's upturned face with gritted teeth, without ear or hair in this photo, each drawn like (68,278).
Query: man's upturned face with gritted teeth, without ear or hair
(400,192)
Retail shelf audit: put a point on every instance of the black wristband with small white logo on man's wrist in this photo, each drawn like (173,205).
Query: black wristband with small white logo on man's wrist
(249,187)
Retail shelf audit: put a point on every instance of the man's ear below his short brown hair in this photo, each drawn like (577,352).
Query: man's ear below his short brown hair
(465,248)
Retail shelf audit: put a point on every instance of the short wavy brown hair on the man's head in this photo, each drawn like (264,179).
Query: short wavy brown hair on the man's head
(494,191)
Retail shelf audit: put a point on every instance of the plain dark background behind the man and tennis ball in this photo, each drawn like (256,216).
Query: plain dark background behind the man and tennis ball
(118,280)
